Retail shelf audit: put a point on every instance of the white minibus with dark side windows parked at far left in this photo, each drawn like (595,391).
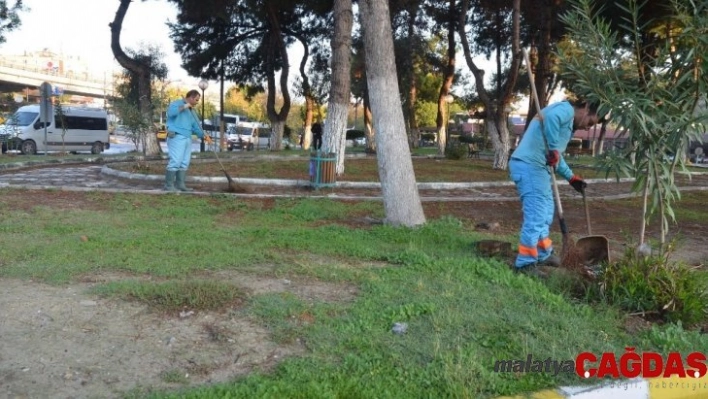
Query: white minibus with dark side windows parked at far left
(77,129)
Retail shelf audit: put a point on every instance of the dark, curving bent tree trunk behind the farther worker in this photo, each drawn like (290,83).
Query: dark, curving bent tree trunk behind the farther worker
(142,71)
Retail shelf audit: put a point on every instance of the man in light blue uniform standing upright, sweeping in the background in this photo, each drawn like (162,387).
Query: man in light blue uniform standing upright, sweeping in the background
(181,124)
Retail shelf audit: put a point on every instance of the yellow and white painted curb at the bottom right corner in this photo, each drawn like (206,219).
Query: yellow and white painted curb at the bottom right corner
(638,388)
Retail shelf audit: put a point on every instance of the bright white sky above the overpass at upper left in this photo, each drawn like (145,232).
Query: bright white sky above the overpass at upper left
(80,28)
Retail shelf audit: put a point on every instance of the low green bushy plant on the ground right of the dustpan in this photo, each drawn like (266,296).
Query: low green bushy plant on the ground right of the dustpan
(652,286)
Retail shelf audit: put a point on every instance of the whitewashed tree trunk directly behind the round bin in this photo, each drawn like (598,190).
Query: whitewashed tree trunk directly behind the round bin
(334,136)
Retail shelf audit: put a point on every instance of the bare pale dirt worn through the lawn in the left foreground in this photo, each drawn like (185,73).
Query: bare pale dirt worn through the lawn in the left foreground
(61,342)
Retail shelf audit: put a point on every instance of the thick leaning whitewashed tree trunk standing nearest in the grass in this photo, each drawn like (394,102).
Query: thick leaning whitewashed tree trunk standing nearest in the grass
(401,199)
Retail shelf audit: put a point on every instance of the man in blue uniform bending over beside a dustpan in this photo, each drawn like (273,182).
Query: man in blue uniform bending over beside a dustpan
(537,155)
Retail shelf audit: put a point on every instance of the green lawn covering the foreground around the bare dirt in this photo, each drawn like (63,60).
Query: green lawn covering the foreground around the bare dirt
(463,312)
